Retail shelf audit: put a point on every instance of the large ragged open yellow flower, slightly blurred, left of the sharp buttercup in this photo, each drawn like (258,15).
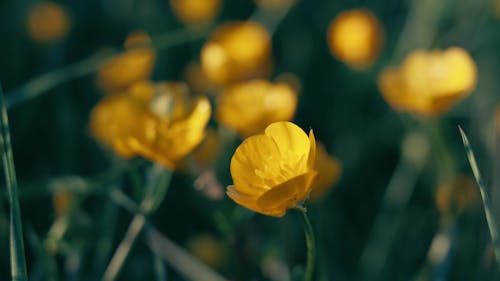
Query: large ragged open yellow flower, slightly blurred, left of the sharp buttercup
(156,121)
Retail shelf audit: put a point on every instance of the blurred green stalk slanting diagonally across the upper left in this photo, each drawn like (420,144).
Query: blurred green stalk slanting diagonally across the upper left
(43,83)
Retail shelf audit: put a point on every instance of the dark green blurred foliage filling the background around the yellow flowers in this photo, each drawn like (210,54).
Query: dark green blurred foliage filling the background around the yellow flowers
(380,221)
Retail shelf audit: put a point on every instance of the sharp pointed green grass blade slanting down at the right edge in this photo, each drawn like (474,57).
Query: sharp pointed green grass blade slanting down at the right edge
(490,218)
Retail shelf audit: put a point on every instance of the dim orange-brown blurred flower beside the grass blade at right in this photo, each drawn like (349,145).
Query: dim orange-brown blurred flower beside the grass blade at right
(457,195)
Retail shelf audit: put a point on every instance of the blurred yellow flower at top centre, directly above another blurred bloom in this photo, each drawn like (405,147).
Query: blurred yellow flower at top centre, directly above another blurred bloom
(237,51)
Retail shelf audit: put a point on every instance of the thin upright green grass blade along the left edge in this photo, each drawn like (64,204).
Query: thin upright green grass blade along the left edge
(17,258)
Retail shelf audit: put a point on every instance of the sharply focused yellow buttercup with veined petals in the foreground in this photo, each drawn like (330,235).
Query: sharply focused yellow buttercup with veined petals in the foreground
(273,172)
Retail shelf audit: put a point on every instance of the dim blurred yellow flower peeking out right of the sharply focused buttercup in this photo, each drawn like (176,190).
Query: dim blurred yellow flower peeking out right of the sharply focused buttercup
(329,170)
